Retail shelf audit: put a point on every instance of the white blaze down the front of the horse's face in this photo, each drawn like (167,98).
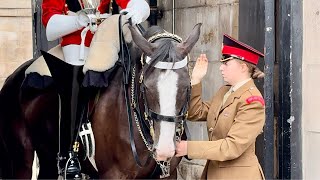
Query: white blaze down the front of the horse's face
(167,89)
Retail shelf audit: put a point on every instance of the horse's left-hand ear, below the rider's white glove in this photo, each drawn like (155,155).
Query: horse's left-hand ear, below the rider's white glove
(141,42)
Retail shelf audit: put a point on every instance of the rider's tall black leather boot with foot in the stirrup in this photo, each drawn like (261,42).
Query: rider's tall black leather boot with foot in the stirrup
(67,79)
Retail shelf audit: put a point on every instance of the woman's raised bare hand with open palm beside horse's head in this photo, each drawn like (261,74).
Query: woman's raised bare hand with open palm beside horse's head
(199,70)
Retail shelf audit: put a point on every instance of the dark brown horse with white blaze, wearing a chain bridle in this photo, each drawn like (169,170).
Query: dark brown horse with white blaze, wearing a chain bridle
(138,116)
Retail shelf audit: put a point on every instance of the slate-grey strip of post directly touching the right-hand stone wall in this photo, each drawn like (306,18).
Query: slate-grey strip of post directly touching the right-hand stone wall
(296,83)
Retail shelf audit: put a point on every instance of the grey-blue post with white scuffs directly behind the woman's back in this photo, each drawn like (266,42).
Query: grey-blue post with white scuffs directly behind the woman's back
(269,44)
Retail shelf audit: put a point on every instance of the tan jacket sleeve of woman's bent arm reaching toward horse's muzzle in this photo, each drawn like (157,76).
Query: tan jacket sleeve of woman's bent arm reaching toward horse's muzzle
(247,125)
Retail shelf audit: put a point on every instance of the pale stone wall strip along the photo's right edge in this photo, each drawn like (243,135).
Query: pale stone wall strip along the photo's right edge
(311,89)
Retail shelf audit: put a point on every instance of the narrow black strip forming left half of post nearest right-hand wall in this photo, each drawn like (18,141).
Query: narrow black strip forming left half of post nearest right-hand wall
(284,40)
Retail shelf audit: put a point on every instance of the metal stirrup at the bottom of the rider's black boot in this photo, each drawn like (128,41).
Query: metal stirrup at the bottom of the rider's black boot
(73,167)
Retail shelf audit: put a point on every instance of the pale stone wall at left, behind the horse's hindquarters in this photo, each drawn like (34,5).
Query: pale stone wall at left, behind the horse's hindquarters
(15,35)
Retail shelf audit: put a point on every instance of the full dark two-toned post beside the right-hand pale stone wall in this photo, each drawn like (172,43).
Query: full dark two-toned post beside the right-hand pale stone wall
(290,60)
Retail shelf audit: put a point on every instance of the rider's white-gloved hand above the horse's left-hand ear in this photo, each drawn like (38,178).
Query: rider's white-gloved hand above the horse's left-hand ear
(137,10)
